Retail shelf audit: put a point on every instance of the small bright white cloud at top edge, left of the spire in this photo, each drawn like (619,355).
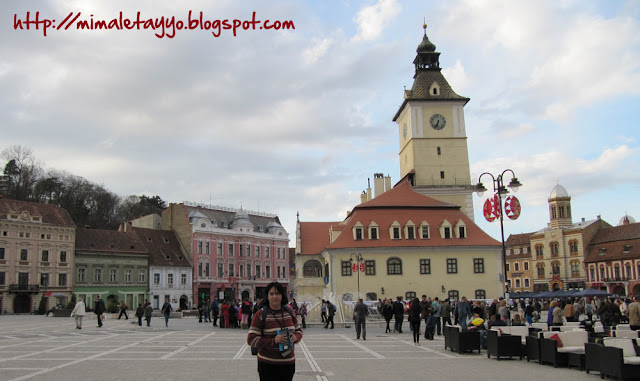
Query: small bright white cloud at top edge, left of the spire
(372,19)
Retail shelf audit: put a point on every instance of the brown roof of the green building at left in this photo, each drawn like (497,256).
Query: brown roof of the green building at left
(109,241)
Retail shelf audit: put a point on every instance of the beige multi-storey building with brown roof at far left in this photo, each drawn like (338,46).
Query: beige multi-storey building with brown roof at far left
(36,256)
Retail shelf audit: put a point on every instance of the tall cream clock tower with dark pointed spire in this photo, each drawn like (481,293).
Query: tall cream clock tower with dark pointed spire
(433,139)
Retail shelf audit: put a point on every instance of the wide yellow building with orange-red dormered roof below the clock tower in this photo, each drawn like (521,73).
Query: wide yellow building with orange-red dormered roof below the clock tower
(400,243)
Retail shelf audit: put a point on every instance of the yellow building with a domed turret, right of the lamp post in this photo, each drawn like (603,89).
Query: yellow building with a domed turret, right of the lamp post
(560,247)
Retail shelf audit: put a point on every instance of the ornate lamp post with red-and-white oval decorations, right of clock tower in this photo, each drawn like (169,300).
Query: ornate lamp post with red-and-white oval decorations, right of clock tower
(499,189)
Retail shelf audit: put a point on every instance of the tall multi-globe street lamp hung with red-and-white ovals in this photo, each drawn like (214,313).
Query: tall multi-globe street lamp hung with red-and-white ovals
(493,209)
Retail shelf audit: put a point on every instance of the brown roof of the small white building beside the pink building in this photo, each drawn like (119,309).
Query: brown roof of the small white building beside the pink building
(163,246)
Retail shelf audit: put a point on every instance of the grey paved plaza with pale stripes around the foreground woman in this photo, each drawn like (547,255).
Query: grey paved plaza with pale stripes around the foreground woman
(40,348)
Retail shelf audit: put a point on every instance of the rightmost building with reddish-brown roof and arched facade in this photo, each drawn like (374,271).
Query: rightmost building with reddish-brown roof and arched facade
(613,259)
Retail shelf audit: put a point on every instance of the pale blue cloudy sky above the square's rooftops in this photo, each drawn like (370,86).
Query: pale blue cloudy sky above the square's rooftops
(295,121)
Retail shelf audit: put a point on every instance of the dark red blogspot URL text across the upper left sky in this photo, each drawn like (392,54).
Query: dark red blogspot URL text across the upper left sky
(162,26)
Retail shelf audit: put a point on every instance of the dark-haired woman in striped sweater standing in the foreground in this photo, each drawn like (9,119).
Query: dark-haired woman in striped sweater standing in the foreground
(275,335)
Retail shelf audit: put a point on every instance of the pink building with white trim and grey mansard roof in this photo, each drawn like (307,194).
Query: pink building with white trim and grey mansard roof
(235,253)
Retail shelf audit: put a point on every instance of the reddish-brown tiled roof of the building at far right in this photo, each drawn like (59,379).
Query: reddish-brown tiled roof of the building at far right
(609,244)
